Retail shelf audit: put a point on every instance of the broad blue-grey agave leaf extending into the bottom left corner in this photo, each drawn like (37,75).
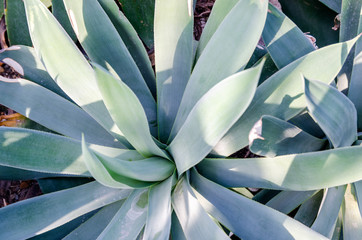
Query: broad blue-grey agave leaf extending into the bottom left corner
(63,206)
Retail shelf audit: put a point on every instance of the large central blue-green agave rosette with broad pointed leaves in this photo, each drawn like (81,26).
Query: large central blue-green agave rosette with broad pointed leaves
(134,156)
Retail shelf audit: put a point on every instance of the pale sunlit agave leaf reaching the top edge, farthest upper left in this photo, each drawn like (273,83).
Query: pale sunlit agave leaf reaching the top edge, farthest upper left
(66,64)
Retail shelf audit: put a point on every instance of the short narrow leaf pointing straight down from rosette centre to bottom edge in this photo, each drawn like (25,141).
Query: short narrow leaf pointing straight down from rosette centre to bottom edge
(158,222)
